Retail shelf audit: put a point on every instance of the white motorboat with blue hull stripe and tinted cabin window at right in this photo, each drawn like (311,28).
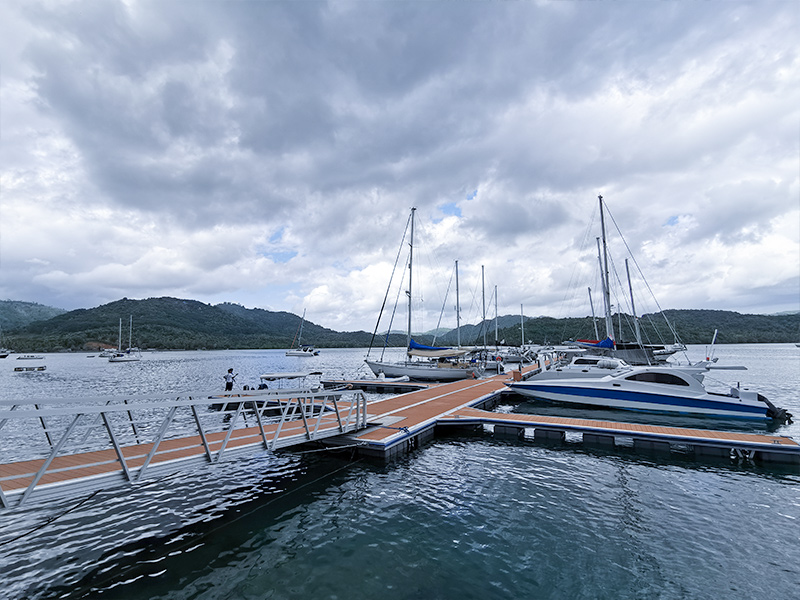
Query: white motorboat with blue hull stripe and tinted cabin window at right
(666,390)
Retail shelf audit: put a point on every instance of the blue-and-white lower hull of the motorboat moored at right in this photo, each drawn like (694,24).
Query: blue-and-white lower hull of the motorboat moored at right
(695,404)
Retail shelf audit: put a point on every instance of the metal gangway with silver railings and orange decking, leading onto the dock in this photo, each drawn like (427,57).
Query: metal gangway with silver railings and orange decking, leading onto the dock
(57,447)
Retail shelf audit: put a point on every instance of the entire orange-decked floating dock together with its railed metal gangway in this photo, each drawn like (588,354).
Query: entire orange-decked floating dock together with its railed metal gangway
(116,441)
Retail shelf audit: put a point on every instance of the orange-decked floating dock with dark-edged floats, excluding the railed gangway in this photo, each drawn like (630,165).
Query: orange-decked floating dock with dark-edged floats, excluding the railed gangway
(403,423)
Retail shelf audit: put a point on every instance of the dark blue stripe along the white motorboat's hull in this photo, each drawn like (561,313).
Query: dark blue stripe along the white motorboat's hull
(643,397)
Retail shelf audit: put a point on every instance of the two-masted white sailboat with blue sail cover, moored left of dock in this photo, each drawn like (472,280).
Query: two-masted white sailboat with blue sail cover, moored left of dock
(426,363)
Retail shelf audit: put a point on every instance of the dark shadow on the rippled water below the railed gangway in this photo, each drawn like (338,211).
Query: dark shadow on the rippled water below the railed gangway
(180,529)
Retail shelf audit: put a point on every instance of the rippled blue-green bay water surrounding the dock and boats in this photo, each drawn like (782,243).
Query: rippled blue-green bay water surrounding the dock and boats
(463,517)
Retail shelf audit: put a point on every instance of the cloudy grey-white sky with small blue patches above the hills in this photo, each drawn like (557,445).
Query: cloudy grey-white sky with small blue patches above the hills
(268,153)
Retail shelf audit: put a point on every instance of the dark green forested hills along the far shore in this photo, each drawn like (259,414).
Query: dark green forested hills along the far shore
(174,323)
